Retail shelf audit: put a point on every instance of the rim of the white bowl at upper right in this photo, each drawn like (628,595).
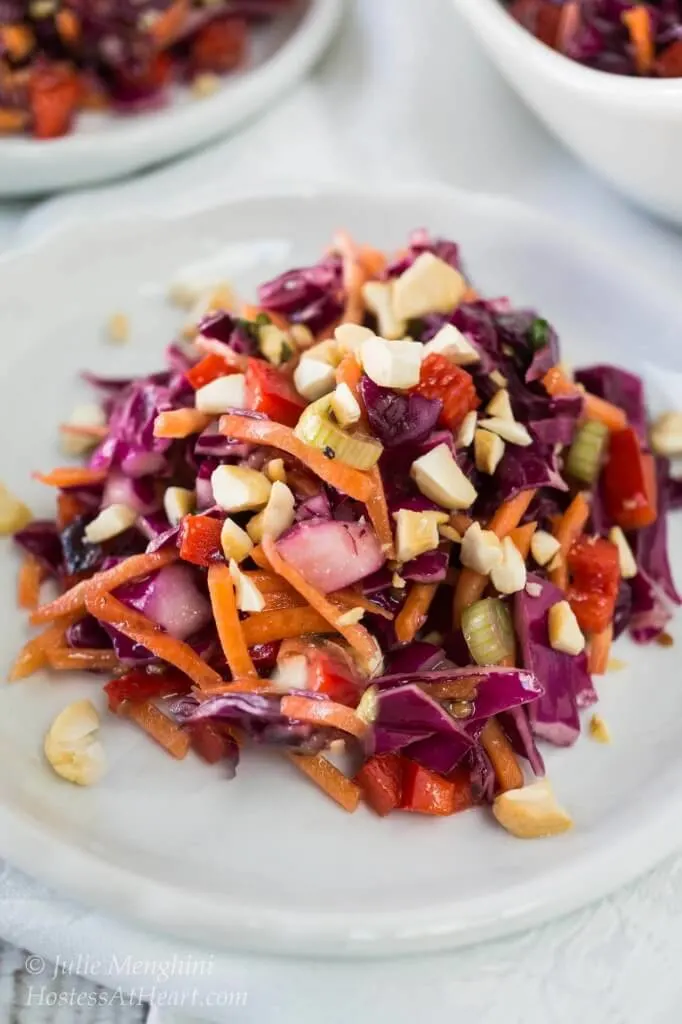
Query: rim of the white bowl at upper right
(490,19)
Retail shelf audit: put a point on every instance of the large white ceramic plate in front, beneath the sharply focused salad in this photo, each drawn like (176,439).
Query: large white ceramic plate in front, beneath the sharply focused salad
(266,863)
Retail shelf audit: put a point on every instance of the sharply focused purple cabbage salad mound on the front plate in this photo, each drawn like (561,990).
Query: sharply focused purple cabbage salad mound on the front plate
(372,522)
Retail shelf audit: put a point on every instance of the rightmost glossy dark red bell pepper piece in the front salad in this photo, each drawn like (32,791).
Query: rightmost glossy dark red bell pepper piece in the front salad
(630,482)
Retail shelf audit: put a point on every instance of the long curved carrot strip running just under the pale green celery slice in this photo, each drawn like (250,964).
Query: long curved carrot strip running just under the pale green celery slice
(352,482)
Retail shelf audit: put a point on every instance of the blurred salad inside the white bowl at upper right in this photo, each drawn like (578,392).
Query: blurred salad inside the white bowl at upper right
(623,37)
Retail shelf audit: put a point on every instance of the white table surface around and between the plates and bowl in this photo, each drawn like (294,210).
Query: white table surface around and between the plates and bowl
(405,95)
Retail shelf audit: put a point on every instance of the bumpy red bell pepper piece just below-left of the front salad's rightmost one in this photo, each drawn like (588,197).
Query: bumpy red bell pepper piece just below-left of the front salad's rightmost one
(593,565)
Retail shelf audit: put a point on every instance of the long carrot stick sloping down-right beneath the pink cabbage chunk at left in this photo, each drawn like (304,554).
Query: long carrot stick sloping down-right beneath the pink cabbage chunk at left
(143,630)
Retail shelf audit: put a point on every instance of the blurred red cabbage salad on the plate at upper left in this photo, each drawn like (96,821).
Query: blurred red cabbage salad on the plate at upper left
(59,58)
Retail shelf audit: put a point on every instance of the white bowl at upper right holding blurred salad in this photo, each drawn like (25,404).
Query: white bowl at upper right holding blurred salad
(629,131)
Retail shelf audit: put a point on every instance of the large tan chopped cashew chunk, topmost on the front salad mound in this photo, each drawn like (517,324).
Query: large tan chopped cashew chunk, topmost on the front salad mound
(430,286)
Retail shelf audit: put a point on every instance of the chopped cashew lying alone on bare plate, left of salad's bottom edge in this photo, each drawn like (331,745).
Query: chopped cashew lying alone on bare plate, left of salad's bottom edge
(72,746)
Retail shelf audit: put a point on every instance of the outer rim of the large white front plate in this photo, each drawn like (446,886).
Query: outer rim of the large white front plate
(198,916)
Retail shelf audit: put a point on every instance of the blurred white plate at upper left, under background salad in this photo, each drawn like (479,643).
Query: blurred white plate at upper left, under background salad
(105,147)
